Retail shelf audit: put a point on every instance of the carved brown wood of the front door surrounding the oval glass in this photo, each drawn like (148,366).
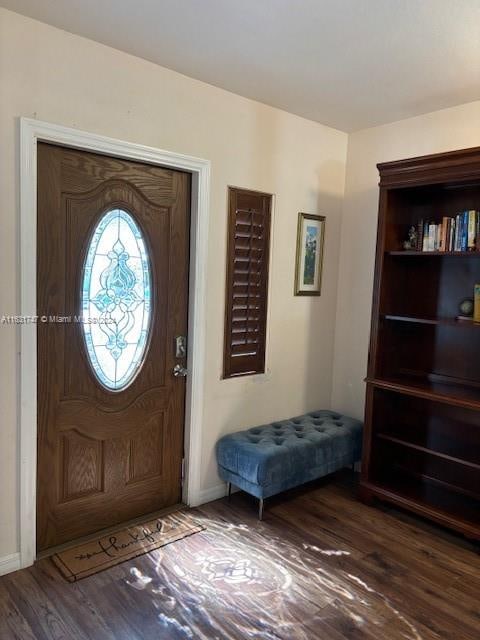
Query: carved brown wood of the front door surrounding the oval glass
(105,457)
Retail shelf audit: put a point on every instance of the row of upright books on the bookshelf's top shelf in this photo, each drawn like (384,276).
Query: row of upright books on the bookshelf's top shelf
(453,234)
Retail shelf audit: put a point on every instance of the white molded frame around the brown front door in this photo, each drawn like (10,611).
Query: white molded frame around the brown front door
(31,132)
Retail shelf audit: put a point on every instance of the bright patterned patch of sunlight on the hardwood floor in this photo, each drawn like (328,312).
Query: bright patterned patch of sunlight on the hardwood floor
(215,583)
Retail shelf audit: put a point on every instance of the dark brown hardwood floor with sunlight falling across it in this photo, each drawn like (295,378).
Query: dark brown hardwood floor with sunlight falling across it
(321,565)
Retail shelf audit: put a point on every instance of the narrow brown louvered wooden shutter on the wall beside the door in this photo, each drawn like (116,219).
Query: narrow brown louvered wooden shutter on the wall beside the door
(247,282)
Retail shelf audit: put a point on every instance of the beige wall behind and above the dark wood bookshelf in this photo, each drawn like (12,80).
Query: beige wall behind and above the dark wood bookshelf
(445,130)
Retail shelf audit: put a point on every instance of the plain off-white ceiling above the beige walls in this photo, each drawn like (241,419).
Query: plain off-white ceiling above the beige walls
(349,64)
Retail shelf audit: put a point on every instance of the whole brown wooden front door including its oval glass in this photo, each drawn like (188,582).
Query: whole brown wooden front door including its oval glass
(112,288)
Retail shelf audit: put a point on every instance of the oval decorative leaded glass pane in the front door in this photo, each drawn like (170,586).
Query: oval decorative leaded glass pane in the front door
(116,299)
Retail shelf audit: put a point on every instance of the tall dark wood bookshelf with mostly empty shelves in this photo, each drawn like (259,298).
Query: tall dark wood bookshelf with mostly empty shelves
(422,415)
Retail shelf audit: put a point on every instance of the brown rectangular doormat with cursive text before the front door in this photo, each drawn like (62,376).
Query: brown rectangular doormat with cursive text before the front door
(100,554)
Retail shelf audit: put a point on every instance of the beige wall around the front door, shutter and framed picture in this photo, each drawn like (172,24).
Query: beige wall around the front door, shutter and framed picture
(57,77)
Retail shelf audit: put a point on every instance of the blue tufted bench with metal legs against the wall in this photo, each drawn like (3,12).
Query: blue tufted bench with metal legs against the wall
(271,458)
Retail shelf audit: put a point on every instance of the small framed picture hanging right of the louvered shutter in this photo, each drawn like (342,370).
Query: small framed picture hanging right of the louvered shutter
(308,270)
